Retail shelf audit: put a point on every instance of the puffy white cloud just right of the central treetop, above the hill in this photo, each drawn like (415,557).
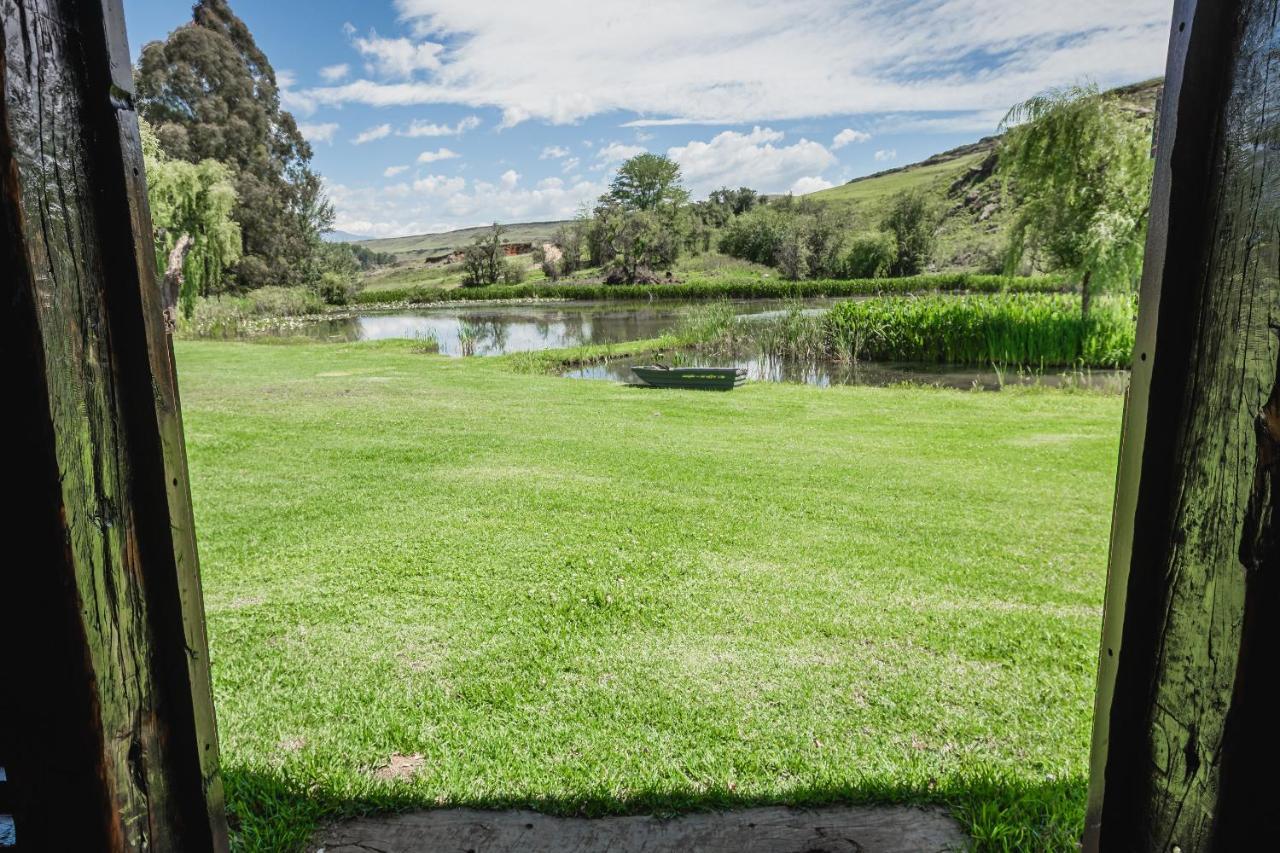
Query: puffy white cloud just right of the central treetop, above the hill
(749,159)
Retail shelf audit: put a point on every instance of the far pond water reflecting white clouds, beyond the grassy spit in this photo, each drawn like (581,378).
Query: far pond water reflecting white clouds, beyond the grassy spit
(496,330)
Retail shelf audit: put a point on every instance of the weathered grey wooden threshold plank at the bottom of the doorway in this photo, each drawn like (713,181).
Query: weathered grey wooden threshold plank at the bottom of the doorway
(756,831)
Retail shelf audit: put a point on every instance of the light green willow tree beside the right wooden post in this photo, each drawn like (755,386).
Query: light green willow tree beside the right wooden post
(1080,166)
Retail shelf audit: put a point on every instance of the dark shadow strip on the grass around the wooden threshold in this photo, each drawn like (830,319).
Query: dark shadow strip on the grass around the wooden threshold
(999,811)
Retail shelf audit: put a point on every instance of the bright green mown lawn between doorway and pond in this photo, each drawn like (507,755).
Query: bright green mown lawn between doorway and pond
(595,599)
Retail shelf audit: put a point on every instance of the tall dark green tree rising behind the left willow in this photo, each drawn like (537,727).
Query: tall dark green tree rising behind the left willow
(212,94)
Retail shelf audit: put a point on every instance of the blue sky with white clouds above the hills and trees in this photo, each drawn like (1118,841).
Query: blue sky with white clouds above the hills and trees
(435,115)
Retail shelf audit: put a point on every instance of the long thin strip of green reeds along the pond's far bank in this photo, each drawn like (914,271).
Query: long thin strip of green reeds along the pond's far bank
(746,286)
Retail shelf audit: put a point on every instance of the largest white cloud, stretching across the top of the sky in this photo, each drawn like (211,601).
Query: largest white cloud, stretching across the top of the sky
(732,62)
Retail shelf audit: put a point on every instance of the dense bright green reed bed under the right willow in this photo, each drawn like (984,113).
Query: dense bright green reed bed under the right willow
(1008,330)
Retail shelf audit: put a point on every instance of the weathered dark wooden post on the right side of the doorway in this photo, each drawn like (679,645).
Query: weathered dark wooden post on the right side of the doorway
(1185,742)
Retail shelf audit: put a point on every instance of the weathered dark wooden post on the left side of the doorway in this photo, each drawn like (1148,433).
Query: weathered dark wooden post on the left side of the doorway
(107,726)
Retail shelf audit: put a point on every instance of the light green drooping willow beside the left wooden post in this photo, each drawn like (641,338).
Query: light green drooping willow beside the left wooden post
(196,239)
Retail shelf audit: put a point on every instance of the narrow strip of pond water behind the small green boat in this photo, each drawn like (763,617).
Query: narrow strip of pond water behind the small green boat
(866,373)
